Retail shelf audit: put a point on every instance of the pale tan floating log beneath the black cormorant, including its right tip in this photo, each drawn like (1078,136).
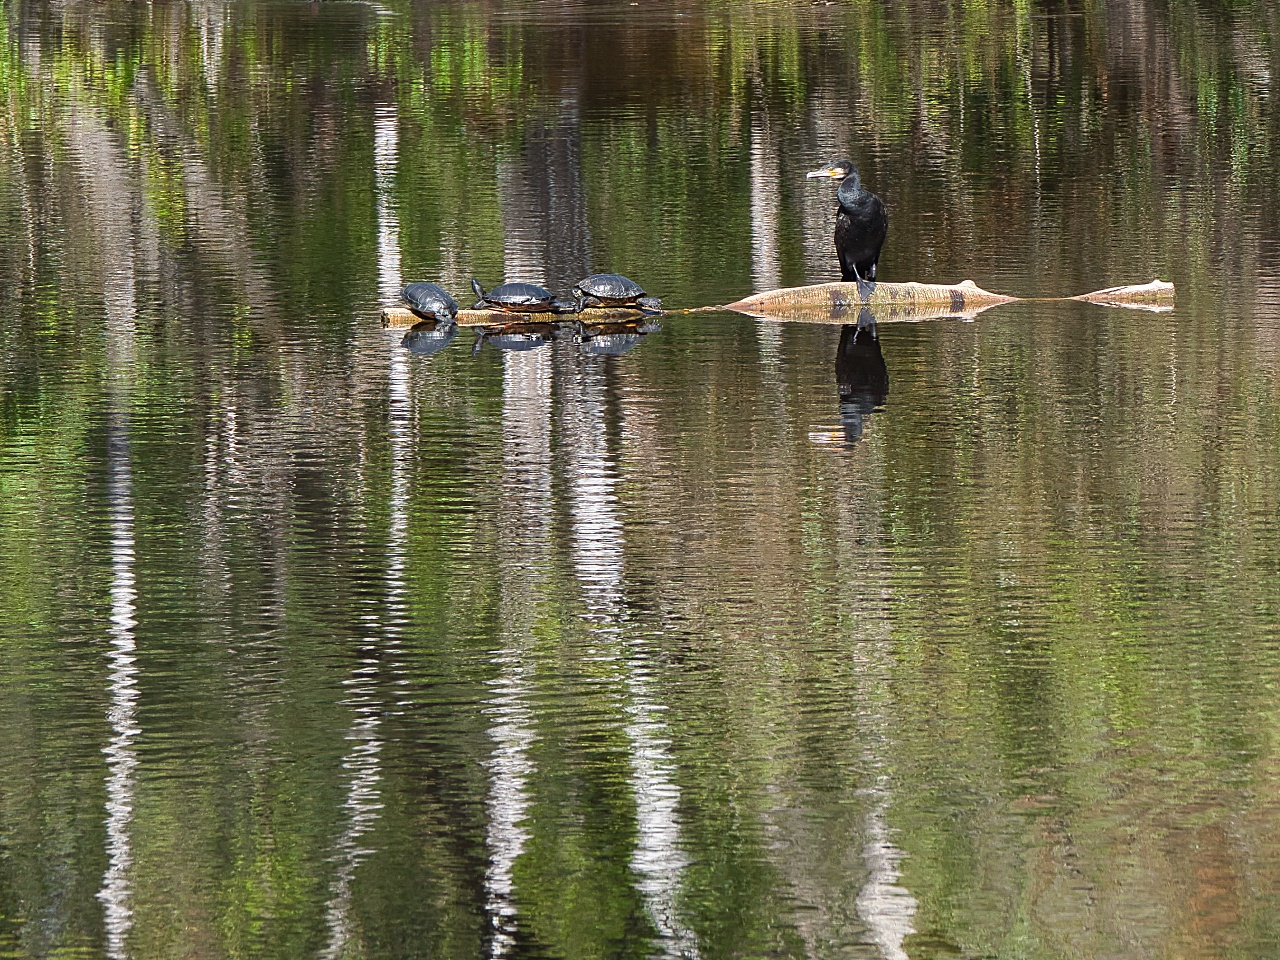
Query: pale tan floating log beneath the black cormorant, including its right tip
(843,303)
